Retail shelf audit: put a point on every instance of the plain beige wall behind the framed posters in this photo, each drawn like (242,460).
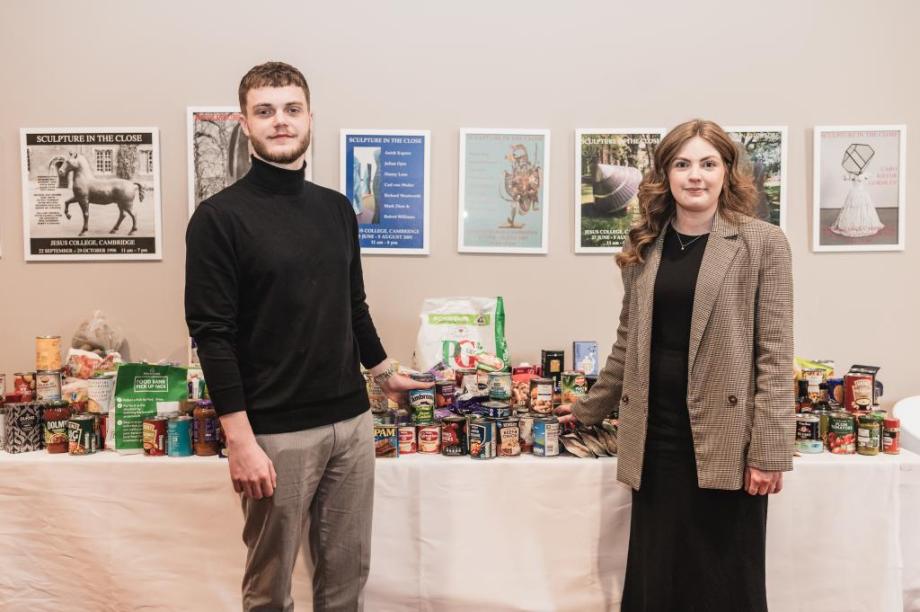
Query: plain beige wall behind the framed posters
(443,66)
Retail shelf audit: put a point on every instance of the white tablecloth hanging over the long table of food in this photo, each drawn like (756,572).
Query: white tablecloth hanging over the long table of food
(109,532)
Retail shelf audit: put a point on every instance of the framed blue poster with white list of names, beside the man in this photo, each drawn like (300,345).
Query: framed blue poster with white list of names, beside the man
(385,176)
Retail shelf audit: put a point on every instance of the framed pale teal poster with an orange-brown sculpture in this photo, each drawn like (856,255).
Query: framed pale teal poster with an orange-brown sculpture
(504,187)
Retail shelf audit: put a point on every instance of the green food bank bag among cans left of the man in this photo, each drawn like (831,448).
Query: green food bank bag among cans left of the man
(139,387)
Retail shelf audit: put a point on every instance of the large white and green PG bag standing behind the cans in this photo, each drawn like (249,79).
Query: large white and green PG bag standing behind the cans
(456,330)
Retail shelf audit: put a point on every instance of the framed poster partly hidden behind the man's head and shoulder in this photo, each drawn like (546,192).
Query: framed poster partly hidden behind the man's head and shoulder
(218,152)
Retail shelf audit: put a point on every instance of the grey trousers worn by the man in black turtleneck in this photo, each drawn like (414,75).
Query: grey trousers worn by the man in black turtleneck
(323,503)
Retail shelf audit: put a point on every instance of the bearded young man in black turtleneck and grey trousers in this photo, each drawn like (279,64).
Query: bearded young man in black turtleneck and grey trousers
(274,298)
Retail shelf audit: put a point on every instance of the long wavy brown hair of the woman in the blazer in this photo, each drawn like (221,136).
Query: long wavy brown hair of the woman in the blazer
(656,203)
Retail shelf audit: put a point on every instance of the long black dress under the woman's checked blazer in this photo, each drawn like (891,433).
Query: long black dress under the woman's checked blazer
(690,549)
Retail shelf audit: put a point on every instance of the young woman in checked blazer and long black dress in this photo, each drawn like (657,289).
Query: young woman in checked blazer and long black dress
(701,371)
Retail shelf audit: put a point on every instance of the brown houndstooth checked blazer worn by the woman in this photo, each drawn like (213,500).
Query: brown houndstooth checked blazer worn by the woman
(739,392)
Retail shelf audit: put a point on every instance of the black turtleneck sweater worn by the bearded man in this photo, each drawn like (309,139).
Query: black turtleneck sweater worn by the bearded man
(274,298)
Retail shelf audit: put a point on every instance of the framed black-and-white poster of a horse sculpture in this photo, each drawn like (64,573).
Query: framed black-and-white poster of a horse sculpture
(91,194)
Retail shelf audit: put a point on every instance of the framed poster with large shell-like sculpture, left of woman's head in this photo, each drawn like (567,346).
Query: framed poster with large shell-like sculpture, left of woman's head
(609,165)
